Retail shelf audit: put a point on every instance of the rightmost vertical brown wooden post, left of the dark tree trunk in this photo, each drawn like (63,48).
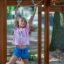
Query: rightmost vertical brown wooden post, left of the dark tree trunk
(46,34)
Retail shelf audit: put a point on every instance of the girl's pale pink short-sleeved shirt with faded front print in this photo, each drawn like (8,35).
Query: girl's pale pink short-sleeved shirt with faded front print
(21,36)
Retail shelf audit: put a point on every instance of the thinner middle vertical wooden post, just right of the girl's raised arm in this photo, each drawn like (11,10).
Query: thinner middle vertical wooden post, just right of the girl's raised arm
(39,34)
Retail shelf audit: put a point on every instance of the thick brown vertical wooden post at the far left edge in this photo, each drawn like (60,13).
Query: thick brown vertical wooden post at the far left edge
(3,35)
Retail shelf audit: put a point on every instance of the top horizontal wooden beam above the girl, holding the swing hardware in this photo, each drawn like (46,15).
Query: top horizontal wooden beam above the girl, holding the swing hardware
(23,3)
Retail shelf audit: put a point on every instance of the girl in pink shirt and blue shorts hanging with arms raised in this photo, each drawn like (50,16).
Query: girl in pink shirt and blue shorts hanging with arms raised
(21,39)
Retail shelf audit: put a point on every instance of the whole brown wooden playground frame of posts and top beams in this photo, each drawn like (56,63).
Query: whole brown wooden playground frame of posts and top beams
(3,25)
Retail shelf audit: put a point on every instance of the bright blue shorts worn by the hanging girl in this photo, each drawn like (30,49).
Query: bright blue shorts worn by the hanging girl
(20,53)
